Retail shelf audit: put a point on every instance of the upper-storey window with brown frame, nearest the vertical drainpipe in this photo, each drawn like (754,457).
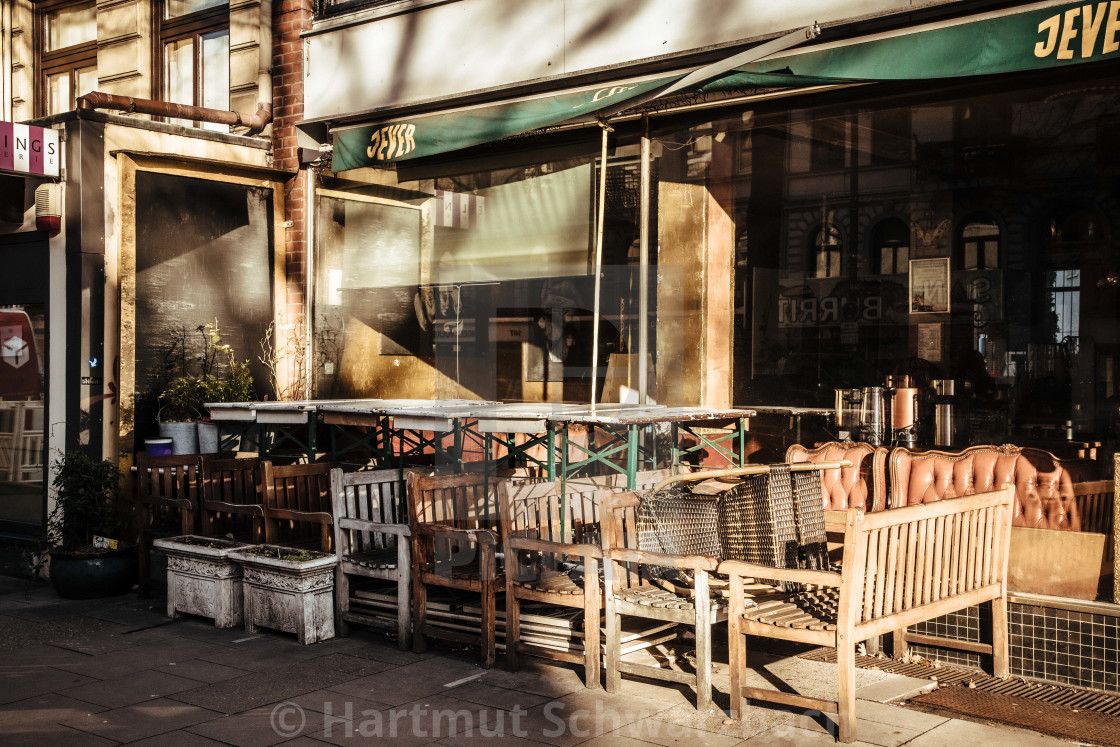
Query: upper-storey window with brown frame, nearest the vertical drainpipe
(195,43)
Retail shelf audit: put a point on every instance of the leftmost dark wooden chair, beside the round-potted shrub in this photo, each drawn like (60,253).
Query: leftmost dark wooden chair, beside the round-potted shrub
(167,499)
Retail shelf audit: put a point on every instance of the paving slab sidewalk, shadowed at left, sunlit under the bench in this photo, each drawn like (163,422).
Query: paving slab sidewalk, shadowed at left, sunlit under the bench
(119,671)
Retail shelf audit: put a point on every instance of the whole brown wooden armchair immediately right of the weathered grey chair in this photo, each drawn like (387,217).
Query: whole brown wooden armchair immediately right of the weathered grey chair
(455,537)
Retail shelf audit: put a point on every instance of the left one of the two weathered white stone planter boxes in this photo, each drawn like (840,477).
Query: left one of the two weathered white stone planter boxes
(203,580)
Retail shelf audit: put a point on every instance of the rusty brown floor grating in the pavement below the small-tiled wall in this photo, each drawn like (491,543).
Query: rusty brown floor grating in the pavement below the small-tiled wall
(1059,711)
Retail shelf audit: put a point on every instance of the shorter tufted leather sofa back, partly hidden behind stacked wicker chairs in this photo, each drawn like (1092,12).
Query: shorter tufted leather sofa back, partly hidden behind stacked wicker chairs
(861,487)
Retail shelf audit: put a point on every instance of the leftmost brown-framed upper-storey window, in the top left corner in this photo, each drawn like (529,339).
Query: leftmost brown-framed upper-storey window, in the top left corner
(69,59)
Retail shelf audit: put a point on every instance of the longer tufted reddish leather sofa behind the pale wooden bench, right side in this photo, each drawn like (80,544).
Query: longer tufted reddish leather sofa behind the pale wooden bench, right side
(1043,488)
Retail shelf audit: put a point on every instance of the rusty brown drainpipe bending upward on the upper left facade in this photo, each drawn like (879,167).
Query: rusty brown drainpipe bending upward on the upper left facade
(256,123)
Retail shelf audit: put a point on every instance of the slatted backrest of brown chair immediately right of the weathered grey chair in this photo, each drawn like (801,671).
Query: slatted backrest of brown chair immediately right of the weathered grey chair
(466,501)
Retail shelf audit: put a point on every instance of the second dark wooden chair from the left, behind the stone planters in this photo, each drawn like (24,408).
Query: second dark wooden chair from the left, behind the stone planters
(232,498)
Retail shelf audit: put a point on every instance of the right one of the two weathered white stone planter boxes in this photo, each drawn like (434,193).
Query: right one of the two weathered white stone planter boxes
(294,596)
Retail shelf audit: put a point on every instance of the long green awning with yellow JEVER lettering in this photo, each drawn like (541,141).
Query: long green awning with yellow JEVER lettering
(1040,36)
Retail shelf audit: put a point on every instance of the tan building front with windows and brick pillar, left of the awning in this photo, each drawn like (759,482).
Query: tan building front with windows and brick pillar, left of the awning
(176,204)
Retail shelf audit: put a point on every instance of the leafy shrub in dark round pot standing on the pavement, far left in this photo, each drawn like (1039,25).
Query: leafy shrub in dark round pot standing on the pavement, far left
(89,559)
